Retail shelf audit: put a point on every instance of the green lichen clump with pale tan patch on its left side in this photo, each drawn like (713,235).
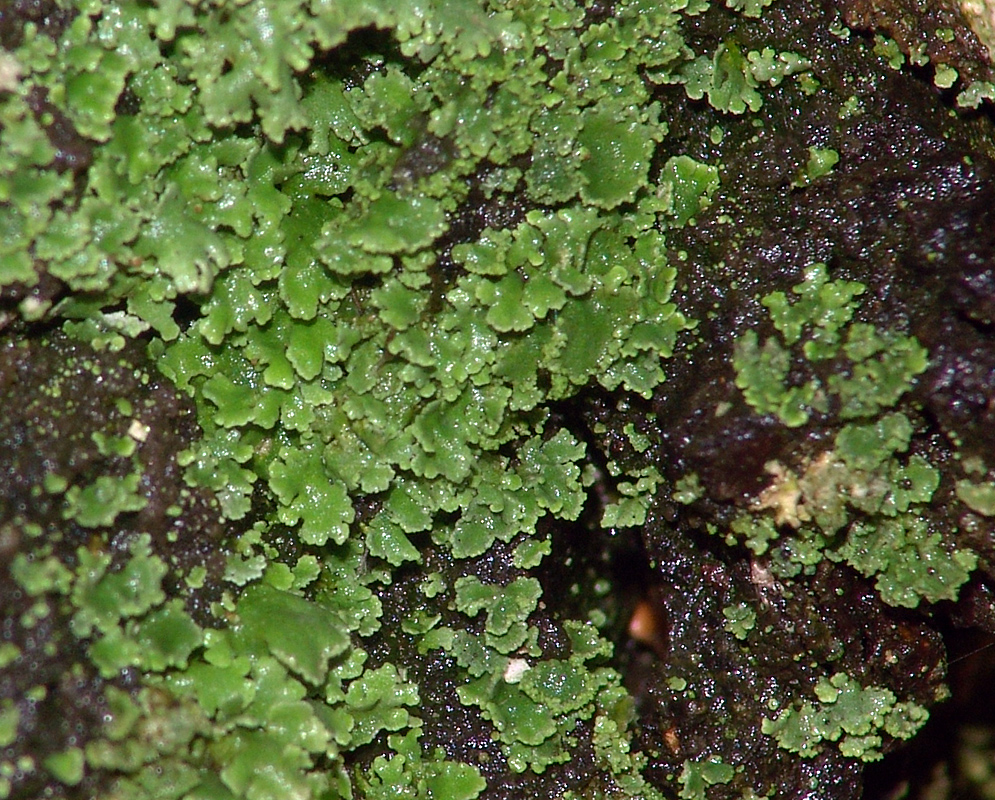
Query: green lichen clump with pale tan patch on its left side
(890,540)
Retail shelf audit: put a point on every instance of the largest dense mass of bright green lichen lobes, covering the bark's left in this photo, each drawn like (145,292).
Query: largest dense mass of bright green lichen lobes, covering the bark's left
(334,358)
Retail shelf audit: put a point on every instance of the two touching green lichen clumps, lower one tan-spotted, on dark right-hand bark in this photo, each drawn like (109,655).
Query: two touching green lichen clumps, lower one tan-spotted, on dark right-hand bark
(862,500)
